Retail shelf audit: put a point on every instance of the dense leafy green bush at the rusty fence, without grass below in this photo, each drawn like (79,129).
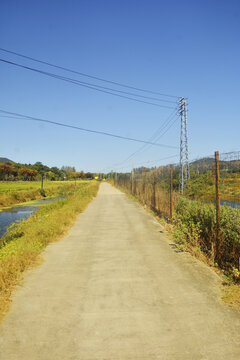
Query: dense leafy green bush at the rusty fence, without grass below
(196,225)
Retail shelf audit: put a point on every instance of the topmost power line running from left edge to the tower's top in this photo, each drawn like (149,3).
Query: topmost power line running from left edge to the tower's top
(87,75)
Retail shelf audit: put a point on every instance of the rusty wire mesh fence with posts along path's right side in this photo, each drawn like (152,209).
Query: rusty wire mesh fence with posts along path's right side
(214,181)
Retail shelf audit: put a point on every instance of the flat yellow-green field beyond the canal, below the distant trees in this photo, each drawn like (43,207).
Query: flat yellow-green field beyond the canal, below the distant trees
(17,192)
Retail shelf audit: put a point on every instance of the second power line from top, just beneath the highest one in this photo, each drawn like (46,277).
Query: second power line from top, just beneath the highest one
(87,85)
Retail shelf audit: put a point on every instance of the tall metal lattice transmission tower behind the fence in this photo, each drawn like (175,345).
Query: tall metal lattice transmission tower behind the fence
(184,157)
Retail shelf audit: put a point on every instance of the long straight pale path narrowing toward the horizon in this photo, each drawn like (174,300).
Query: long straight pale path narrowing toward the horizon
(116,289)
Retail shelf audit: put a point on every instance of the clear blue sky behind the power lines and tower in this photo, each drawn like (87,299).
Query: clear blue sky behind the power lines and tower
(185,48)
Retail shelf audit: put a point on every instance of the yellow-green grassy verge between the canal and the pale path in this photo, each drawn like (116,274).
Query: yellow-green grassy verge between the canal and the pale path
(21,247)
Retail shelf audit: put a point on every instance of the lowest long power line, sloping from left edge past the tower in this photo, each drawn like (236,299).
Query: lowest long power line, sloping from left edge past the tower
(26,117)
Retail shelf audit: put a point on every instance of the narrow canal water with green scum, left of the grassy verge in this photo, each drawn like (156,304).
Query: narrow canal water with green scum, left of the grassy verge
(21,212)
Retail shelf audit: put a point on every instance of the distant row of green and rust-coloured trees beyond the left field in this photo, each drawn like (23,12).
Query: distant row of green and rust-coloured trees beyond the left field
(28,172)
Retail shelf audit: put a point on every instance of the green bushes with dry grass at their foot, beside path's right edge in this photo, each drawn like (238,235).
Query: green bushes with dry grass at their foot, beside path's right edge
(194,231)
